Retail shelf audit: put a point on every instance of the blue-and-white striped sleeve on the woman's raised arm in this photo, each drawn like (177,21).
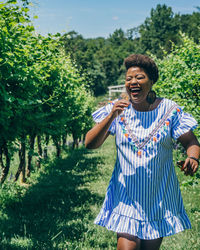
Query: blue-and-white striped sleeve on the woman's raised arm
(101,114)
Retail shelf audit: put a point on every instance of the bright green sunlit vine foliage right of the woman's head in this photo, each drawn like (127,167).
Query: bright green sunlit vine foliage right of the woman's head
(179,76)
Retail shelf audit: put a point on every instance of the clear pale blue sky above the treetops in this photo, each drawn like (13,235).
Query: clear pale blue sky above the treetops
(92,18)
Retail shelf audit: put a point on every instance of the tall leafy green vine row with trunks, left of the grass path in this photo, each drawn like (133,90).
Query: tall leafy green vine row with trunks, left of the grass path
(42,95)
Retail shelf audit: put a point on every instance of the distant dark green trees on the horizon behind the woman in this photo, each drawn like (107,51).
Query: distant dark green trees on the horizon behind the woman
(102,59)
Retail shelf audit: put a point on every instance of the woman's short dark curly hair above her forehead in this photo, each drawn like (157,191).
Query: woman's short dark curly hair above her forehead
(144,62)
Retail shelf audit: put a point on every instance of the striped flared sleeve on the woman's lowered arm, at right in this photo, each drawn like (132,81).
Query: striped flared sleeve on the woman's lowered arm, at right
(182,123)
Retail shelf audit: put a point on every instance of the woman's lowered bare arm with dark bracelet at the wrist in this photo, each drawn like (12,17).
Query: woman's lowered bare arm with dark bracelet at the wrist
(192,147)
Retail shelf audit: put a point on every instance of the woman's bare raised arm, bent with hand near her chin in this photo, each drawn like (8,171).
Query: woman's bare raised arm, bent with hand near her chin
(97,135)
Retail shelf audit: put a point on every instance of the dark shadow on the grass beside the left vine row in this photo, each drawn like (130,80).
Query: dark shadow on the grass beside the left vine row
(55,209)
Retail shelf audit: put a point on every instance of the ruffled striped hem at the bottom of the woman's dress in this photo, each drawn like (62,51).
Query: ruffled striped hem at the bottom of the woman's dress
(147,230)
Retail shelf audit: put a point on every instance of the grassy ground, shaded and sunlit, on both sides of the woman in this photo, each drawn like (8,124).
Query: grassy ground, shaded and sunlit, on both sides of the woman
(57,209)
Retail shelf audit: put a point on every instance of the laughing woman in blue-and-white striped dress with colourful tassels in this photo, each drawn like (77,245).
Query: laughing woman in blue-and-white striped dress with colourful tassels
(143,202)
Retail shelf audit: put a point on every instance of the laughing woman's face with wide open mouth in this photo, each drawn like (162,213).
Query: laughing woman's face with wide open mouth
(137,84)
